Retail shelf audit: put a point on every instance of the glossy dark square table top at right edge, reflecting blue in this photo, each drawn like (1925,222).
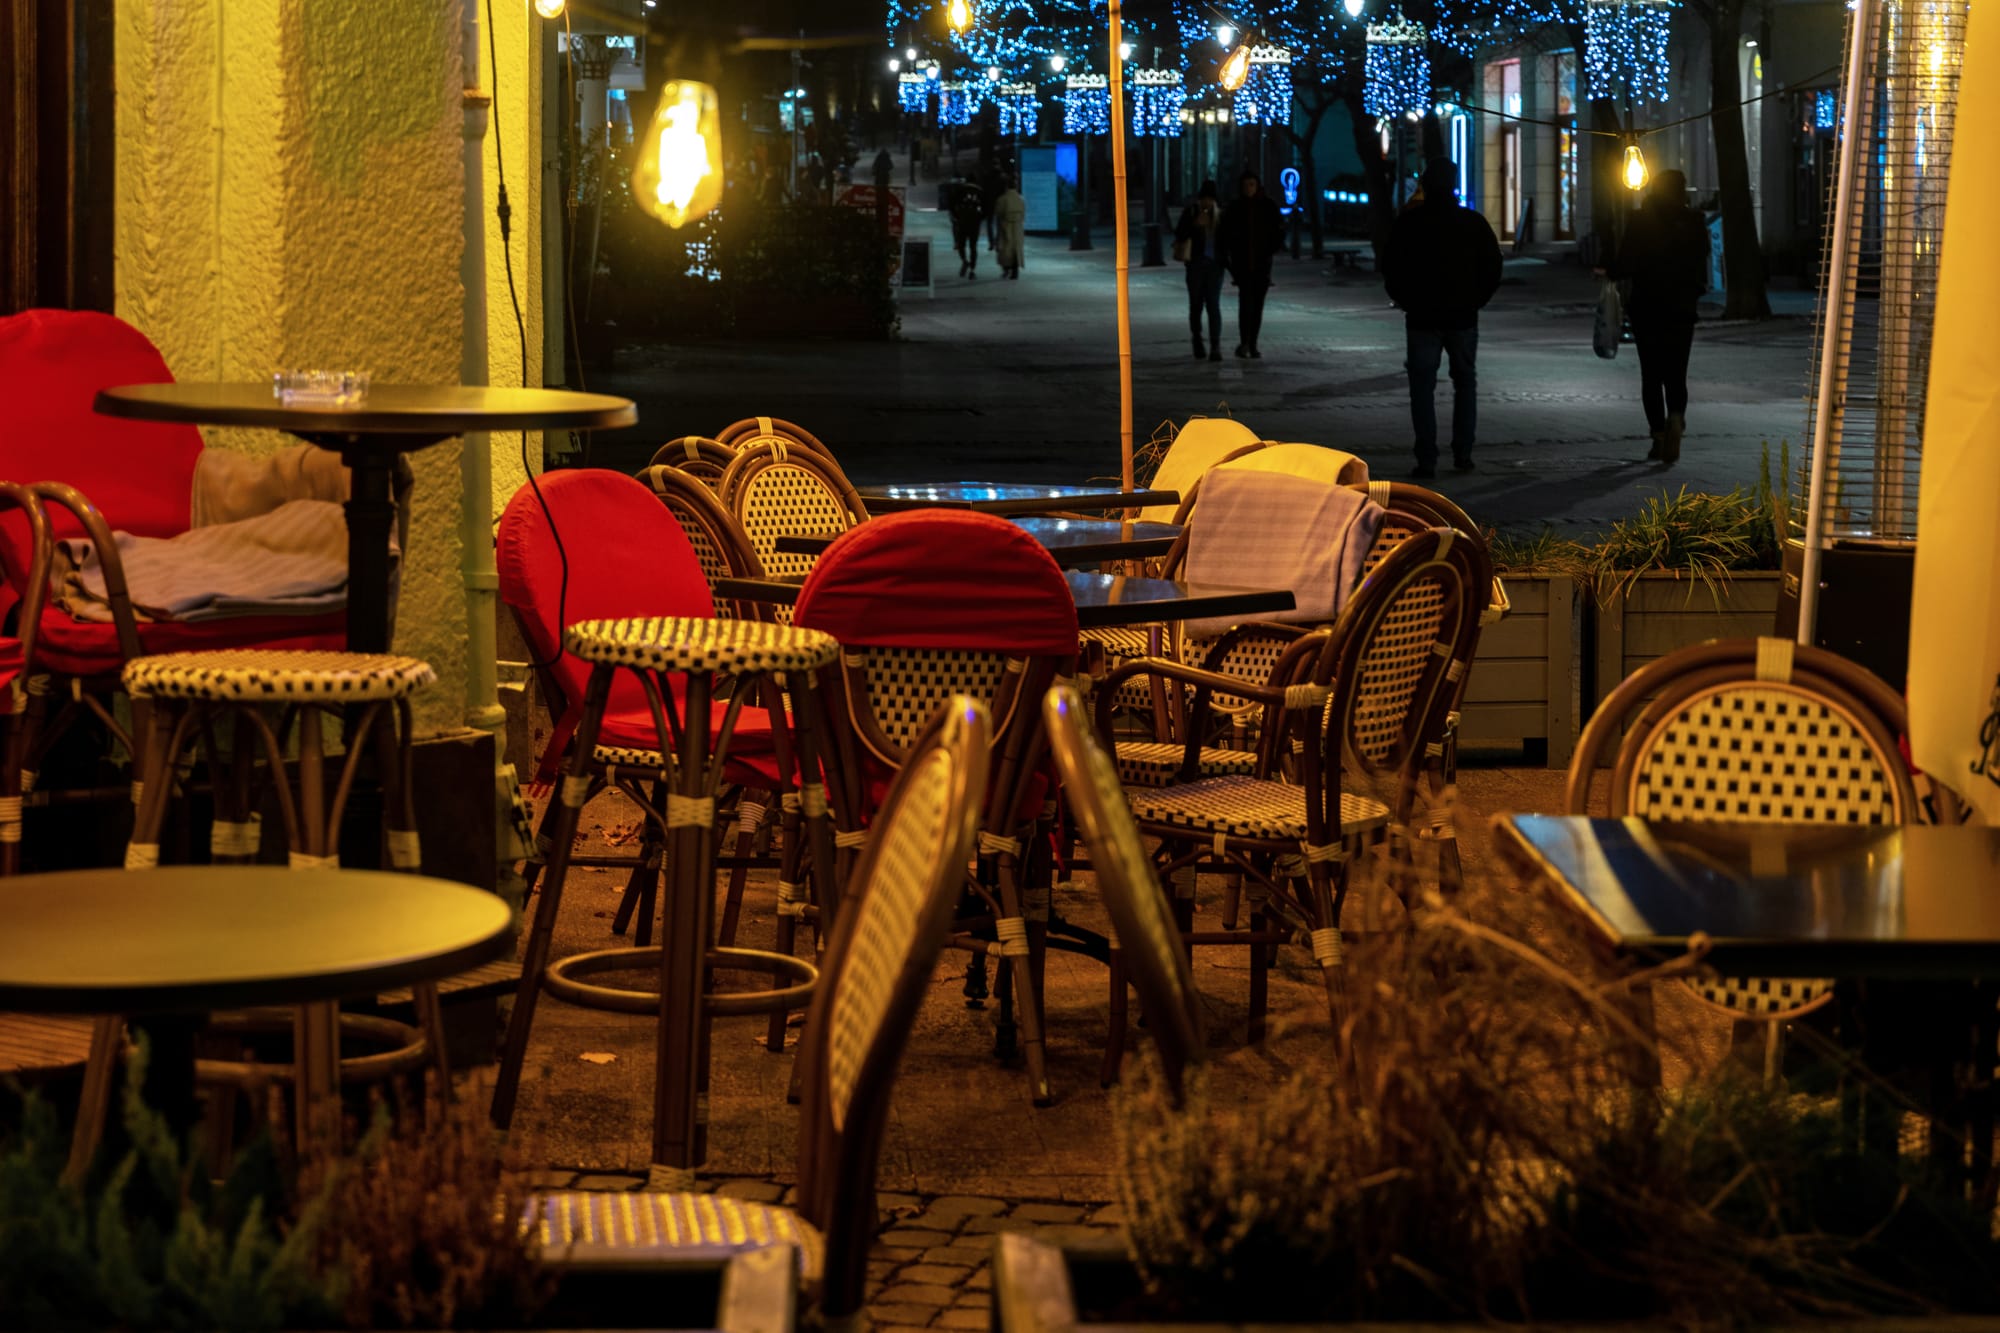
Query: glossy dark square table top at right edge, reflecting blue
(1911,902)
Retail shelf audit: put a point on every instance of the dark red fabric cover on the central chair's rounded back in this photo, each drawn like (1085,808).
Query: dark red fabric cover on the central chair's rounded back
(941,579)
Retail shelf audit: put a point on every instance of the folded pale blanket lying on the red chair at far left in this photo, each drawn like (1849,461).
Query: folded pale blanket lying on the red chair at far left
(289,561)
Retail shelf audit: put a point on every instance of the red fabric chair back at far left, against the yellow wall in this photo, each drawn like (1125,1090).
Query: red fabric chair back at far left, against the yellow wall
(141,475)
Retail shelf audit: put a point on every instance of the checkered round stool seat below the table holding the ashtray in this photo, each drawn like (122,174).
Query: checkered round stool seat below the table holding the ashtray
(275,676)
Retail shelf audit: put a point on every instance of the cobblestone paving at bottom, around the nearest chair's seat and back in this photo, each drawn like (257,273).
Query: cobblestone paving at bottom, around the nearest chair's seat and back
(931,1266)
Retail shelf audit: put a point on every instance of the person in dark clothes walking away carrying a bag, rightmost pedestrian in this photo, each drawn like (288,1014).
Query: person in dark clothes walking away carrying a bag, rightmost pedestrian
(1665,259)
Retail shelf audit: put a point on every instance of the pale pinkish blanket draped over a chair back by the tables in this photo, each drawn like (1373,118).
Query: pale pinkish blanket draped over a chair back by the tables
(1271,531)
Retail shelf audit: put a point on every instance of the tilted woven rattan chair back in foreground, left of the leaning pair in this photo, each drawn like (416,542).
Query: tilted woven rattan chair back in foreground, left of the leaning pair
(873,980)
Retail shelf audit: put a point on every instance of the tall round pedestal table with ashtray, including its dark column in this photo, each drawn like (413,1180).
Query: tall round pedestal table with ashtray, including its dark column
(393,419)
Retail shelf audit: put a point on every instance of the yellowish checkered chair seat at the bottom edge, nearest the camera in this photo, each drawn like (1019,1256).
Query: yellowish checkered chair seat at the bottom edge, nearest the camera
(613,1230)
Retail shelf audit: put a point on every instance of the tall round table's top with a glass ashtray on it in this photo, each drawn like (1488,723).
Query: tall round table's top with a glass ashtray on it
(389,409)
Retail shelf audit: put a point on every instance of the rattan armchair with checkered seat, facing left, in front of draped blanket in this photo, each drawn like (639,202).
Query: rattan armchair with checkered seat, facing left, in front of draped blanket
(1357,722)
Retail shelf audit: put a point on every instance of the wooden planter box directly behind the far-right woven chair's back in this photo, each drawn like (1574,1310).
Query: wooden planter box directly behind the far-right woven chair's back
(1663,613)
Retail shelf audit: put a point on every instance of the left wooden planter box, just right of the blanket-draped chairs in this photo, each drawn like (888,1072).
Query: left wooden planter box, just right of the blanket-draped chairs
(1527,676)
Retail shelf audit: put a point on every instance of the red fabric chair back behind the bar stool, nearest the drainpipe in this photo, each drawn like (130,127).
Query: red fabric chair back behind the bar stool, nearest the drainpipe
(627,559)
